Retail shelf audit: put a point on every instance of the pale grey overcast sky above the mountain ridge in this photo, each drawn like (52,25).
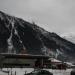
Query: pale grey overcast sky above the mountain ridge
(54,15)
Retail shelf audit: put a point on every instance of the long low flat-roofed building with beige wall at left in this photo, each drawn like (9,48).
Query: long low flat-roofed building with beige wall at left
(23,60)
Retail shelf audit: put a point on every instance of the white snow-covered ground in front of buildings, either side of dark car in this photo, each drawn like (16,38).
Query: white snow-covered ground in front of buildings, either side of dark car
(21,71)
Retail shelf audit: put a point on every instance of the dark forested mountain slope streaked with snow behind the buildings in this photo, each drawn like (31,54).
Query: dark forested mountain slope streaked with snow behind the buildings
(19,36)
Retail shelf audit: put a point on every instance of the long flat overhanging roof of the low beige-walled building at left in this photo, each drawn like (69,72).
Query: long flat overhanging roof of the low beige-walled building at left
(24,56)
